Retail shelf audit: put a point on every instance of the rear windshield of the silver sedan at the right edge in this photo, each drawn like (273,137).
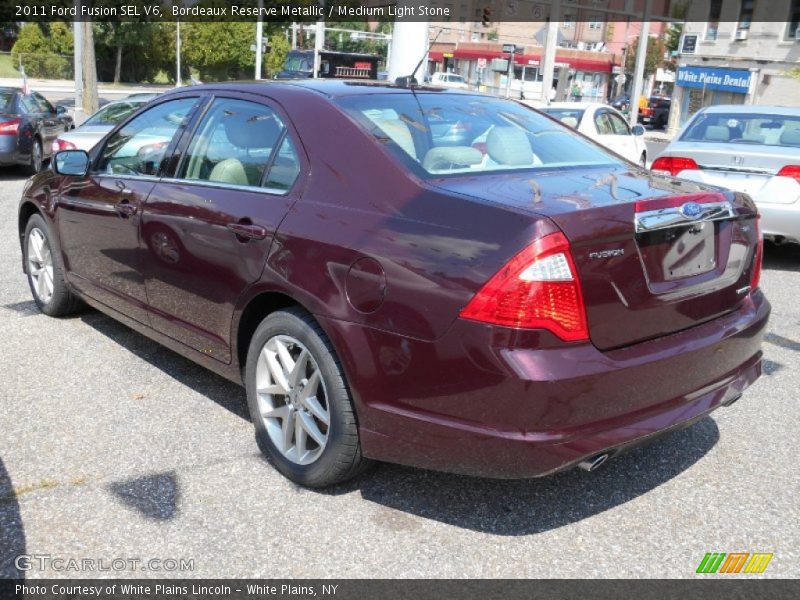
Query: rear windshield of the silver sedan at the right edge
(723,128)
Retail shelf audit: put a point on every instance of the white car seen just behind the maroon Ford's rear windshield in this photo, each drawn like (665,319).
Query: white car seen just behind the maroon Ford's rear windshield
(604,125)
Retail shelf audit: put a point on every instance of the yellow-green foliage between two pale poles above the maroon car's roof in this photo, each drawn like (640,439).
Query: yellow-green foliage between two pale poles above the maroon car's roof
(220,50)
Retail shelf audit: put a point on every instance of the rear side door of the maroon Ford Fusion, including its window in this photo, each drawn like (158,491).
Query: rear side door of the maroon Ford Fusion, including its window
(207,229)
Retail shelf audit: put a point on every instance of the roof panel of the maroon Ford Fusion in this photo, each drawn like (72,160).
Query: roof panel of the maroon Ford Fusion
(332,88)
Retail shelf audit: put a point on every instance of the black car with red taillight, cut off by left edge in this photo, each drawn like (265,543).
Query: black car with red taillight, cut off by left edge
(28,126)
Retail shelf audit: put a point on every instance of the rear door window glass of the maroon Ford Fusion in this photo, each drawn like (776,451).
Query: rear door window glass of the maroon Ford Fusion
(237,143)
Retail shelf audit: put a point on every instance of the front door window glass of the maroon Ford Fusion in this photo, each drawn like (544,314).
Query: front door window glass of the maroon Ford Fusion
(141,144)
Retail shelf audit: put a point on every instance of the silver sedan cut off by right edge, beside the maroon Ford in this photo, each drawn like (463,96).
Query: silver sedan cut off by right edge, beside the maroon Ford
(750,149)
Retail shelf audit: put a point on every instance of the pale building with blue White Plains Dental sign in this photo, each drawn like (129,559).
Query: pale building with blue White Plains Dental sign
(731,53)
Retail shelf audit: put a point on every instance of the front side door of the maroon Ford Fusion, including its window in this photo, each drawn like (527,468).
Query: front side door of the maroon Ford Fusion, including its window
(98,216)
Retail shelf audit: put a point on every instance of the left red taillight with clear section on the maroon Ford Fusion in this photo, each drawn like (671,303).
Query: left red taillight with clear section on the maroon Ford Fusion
(537,289)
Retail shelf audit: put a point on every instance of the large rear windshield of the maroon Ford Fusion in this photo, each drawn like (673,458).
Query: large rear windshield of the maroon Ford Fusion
(437,134)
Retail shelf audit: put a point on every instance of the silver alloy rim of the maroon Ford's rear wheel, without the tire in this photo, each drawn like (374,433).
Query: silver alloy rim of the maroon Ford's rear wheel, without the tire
(292,399)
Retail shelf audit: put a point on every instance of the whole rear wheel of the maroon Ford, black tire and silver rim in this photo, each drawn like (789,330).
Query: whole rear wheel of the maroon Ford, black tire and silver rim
(290,429)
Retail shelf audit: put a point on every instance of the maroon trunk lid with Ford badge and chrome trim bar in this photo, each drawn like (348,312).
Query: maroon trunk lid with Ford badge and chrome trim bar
(654,255)
